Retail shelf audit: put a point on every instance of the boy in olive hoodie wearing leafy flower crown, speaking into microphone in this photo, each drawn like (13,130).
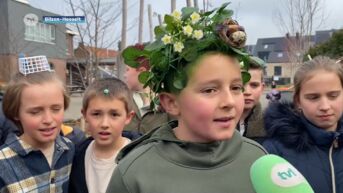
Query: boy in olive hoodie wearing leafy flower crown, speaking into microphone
(199,81)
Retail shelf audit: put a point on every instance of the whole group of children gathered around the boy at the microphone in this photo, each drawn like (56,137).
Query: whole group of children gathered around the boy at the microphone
(203,134)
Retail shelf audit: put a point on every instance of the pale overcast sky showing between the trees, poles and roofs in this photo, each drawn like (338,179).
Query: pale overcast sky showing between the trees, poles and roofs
(255,15)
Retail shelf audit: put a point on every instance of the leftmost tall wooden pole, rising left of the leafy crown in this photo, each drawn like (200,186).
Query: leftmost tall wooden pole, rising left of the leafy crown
(121,65)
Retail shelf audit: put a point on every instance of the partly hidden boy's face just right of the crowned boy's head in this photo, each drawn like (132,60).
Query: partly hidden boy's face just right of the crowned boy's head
(253,89)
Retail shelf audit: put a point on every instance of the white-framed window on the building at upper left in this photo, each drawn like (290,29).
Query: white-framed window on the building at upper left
(40,33)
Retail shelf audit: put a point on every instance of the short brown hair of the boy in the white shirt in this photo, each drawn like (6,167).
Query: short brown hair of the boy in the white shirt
(108,88)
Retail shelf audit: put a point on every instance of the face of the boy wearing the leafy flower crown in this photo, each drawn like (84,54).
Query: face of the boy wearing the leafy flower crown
(211,104)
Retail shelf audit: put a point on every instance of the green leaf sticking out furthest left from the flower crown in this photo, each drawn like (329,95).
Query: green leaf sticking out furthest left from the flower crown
(131,54)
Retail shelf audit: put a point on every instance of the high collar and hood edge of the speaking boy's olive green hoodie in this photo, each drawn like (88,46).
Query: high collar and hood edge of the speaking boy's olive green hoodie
(200,155)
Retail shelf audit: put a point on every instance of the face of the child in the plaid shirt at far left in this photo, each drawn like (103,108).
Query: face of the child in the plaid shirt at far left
(41,113)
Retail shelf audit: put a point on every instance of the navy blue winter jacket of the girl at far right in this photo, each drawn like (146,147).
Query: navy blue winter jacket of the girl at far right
(307,147)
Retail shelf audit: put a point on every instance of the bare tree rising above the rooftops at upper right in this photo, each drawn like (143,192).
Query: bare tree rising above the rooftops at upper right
(296,18)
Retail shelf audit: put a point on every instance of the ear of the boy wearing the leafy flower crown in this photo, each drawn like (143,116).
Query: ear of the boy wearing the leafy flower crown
(169,103)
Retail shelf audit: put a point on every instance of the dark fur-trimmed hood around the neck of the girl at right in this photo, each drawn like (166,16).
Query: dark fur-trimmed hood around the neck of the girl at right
(285,124)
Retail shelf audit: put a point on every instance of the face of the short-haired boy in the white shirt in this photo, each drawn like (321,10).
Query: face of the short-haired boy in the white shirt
(106,119)
